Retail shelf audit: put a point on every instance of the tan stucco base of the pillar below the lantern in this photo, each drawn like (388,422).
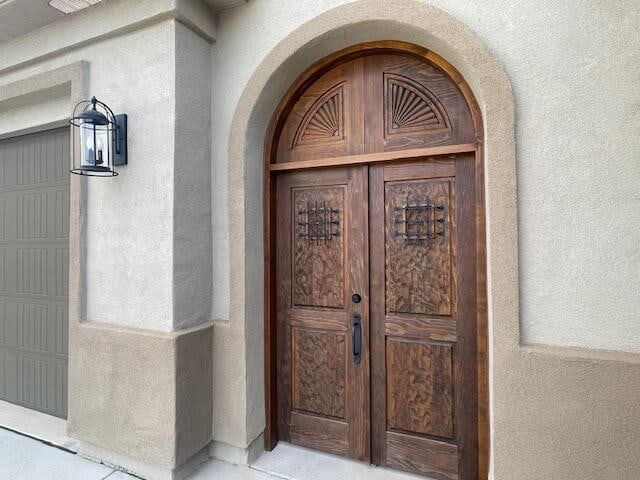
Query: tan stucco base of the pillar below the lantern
(160,411)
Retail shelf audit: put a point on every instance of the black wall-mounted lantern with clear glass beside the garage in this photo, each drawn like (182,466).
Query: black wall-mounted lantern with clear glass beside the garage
(101,139)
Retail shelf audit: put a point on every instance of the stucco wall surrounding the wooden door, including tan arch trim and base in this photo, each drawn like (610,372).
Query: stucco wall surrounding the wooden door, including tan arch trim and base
(526,76)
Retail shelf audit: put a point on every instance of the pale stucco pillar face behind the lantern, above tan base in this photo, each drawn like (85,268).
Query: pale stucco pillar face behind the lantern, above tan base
(131,218)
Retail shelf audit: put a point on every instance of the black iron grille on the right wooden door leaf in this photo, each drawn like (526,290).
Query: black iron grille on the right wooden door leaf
(419,221)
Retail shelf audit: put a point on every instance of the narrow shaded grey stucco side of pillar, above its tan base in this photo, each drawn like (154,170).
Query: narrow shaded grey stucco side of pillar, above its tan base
(192,284)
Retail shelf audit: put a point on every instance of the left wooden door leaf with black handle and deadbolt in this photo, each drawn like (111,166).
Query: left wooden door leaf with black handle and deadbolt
(323,348)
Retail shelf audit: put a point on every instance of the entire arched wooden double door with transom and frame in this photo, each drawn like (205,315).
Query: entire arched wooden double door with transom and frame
(375,295)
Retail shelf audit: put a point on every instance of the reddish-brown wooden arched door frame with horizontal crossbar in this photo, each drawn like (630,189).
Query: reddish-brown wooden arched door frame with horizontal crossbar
(270,150)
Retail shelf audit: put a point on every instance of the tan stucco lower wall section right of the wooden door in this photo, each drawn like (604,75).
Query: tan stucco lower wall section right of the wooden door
(566,414)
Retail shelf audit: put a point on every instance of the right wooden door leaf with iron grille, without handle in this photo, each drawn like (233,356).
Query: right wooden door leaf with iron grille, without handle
(423,317)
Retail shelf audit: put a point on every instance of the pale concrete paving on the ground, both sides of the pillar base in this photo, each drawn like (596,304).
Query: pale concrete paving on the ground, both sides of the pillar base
(24,458)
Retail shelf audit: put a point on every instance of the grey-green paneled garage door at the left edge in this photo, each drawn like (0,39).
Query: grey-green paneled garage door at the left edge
(34,273)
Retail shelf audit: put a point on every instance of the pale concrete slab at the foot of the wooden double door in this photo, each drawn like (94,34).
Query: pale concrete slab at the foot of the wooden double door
(292,462)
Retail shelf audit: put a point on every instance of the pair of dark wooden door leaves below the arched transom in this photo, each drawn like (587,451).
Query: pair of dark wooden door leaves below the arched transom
(376,313)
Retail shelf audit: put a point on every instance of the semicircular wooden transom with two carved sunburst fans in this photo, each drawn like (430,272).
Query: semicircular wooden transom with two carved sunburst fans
(375,103)
